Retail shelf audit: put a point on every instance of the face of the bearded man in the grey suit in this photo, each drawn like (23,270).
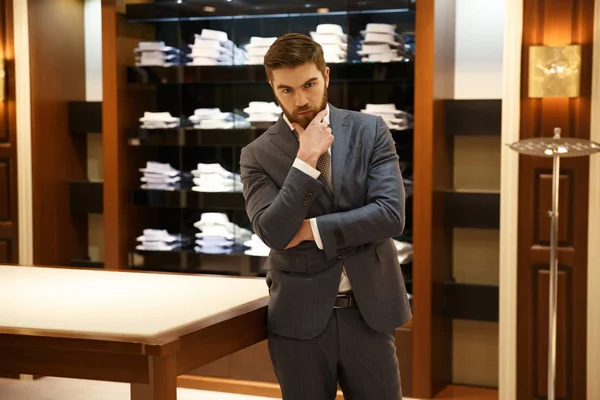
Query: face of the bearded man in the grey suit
(301,91)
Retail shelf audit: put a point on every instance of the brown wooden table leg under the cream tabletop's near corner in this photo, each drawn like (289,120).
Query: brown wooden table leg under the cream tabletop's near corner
(162,371)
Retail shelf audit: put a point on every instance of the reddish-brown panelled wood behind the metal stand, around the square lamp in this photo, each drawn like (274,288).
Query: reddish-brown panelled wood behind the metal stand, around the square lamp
(552,23)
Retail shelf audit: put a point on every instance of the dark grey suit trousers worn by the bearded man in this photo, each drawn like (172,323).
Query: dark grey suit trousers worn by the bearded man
(362,360)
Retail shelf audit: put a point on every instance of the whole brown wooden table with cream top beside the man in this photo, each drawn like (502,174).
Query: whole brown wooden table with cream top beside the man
(139,328)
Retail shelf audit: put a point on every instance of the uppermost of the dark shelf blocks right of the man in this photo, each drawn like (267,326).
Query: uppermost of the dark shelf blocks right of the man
(473,117)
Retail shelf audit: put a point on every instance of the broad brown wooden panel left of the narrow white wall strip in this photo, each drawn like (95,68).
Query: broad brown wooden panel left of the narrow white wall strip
(57,57)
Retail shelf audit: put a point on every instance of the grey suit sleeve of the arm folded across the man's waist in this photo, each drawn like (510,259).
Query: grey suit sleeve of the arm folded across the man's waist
(383,215)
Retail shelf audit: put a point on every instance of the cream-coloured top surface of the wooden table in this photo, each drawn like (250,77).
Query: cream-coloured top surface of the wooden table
(119,305)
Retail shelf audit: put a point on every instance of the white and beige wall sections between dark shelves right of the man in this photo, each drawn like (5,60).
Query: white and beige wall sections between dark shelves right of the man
(478,75)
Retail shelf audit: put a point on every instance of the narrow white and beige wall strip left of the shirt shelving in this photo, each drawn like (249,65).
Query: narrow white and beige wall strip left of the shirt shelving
(93,92)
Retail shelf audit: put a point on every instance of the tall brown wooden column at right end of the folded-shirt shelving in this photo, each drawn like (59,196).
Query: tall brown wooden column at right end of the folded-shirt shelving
(432,239)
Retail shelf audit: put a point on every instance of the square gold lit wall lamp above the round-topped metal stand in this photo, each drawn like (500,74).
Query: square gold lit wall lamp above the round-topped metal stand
(554,71)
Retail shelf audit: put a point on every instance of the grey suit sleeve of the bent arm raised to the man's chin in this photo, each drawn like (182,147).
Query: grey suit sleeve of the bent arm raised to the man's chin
(276,213)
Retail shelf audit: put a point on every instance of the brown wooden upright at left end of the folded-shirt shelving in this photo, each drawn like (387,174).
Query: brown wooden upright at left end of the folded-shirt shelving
(122,106)
